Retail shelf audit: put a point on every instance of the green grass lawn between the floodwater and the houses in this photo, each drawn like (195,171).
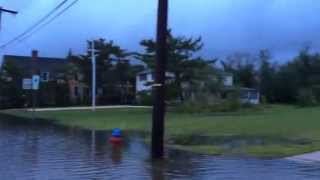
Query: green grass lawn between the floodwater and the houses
(274,131)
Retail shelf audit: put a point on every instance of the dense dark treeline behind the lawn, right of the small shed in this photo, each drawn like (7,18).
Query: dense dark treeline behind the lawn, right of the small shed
(297,81)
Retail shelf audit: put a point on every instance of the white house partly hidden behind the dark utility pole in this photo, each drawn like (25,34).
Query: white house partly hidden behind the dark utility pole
(145,80)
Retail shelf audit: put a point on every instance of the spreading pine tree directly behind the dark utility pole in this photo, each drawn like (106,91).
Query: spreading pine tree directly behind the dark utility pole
(181,62)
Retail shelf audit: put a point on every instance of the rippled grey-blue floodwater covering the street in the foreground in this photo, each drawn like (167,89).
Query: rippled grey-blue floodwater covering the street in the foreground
(30,151)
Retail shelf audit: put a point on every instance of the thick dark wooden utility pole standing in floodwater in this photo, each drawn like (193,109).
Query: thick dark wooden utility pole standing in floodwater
(159,86)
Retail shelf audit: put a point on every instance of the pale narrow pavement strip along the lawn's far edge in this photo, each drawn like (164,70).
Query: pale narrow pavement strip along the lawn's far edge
(85,108)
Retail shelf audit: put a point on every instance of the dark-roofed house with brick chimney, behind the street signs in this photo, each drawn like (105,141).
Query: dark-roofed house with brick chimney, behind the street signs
(56,82)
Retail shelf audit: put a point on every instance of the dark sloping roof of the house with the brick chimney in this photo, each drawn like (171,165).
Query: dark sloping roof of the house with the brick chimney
(42,64)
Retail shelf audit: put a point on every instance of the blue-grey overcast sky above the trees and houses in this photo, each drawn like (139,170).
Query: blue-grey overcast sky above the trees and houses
(227,26)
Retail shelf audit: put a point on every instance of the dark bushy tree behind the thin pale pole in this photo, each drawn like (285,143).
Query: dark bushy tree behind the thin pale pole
(115,73)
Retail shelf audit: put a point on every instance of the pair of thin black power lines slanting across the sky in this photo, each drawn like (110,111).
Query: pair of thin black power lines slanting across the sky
(36,24)
